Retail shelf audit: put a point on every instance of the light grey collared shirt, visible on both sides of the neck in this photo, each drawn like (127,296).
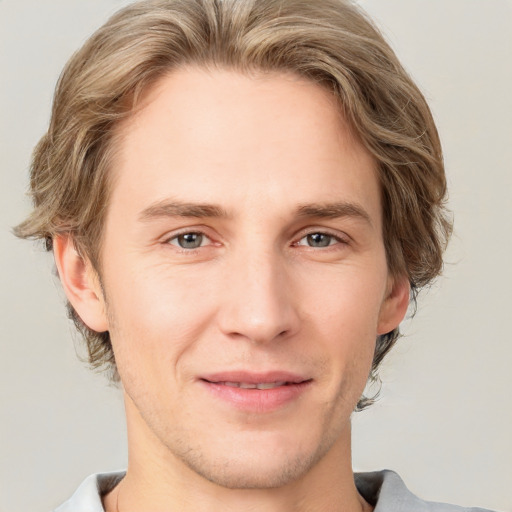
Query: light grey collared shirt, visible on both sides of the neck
(385,490)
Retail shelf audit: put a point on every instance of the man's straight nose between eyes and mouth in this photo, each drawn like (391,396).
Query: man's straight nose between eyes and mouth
(257,303)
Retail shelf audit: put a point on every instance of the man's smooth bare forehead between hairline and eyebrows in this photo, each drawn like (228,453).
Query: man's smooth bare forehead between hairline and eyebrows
(241,140)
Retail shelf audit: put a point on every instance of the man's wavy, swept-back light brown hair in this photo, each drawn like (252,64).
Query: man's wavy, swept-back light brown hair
(331,42)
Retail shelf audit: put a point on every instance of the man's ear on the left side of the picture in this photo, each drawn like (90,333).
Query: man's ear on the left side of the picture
(81,284)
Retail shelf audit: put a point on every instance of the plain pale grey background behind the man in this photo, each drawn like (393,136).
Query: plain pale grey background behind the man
(444,421)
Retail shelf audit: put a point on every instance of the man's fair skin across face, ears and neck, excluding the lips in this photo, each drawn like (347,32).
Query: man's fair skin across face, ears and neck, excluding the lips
(289,274)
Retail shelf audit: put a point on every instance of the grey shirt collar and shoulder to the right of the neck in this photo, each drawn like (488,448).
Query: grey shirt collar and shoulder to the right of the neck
(388,493)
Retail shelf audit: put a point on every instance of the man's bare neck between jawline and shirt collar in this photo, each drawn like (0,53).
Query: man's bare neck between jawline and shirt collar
(159,481)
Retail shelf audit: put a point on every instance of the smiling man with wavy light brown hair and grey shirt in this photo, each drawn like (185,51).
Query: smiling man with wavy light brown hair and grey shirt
(241,197)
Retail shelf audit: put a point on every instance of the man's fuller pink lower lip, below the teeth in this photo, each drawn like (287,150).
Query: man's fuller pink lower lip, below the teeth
(257,400)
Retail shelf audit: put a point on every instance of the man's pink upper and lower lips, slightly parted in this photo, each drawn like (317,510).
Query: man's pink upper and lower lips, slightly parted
(256,400)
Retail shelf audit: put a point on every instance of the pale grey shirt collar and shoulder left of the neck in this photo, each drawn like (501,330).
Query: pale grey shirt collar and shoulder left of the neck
(87,497)
